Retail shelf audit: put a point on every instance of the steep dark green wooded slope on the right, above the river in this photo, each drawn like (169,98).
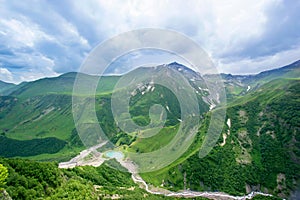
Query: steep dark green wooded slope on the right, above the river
(223,169)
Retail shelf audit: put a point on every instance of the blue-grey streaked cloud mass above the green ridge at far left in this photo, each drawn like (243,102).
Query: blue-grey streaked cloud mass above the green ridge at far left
(42,43)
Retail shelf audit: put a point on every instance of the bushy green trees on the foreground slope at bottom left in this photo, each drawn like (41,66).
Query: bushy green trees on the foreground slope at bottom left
(43,180)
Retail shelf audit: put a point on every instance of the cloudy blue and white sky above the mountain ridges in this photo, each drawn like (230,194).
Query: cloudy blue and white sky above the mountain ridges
(47,38)
